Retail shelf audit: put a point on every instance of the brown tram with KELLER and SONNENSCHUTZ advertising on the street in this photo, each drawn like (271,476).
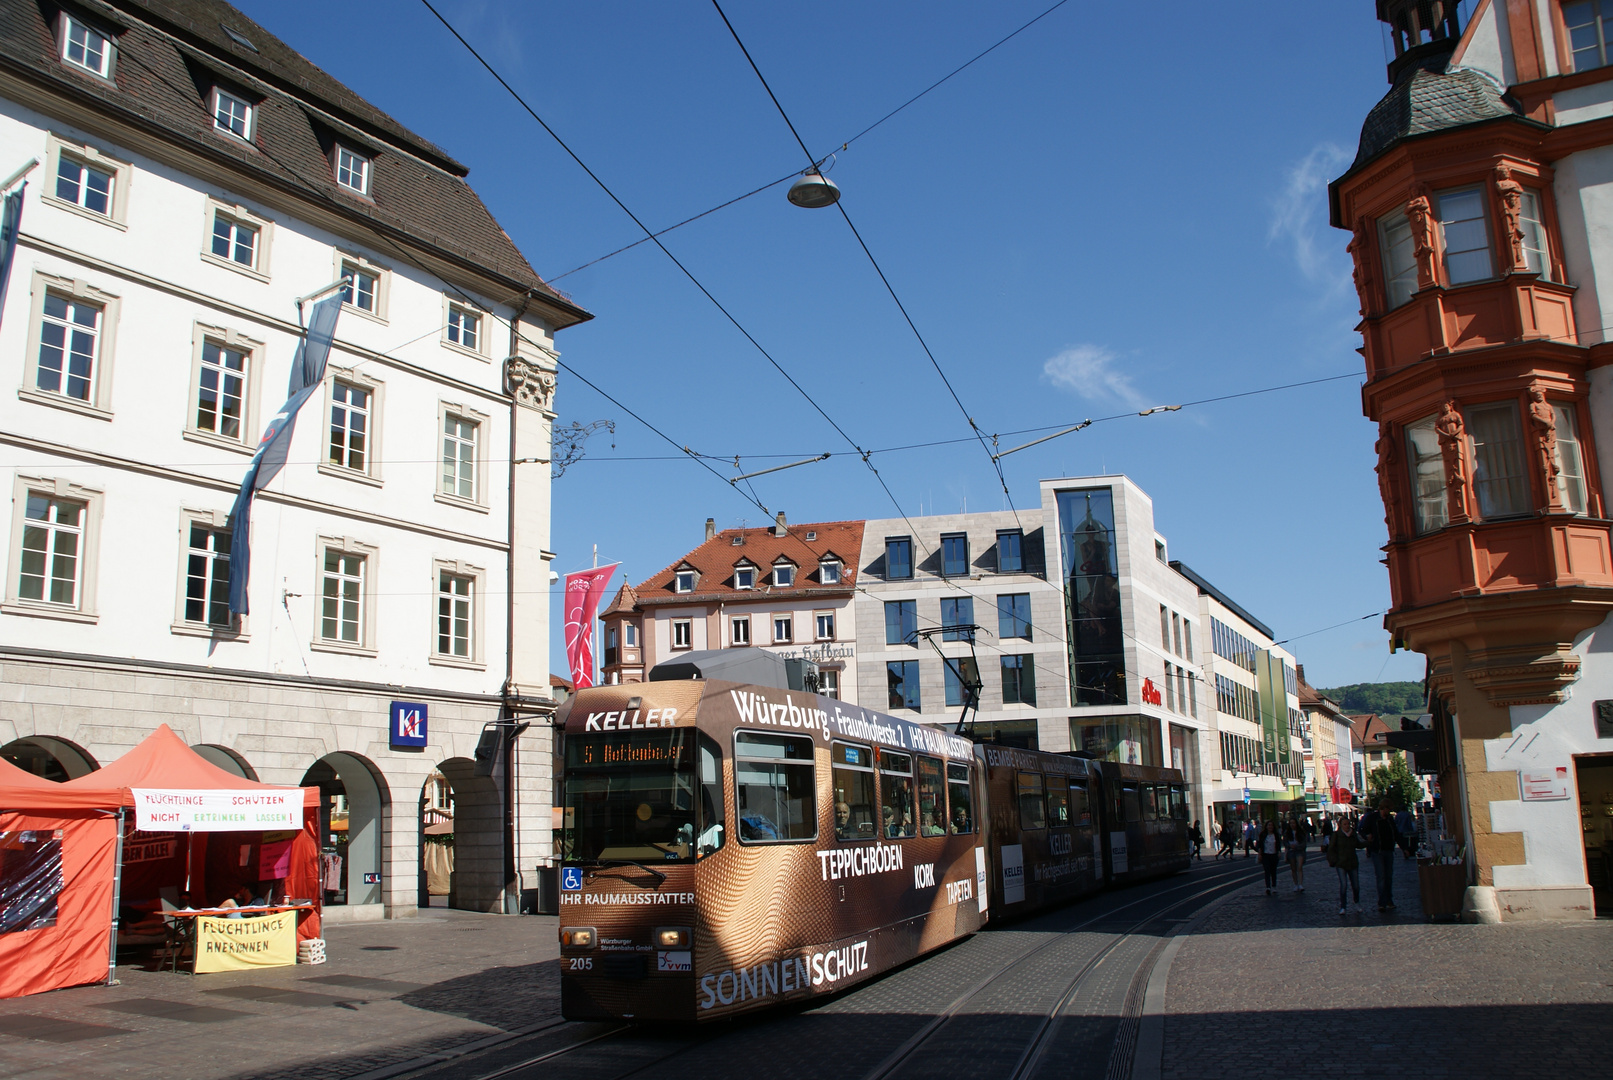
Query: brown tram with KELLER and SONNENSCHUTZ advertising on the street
(731,847)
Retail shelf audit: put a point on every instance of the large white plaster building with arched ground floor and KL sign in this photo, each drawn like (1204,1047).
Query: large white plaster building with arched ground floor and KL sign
(194,178)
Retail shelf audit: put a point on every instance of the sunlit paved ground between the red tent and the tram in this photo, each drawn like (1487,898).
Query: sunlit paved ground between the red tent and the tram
(391,992)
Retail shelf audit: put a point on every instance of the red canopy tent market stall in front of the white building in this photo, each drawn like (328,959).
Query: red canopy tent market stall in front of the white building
(64,842)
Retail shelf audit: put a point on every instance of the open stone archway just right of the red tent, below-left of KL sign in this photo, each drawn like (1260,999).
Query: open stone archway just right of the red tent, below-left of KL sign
(352,810)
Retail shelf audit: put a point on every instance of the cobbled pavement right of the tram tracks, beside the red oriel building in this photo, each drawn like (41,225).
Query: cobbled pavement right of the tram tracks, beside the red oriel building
(1285,982)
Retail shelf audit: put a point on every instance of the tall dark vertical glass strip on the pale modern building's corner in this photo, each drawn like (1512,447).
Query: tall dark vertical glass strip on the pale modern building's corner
(1093,610)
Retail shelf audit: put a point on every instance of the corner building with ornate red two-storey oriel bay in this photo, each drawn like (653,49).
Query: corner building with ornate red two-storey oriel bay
(1482,209)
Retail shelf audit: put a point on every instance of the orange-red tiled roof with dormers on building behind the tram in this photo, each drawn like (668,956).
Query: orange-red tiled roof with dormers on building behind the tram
(715,562)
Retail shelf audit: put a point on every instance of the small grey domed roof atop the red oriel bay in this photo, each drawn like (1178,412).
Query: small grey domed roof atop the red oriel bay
(1430,98)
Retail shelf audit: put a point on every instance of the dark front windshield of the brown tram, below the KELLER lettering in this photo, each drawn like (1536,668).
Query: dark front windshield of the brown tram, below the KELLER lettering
(630,797)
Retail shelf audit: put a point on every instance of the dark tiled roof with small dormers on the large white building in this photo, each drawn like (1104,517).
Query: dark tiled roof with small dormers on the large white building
(169,57)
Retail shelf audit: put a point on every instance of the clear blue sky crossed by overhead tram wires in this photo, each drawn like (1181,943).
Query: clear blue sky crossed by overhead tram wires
(1122,207)
